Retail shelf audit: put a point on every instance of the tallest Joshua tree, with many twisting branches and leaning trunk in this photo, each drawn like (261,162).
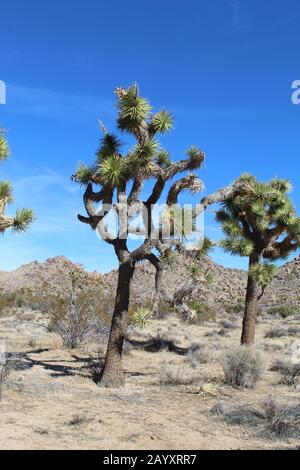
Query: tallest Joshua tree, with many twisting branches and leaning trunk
(122,179)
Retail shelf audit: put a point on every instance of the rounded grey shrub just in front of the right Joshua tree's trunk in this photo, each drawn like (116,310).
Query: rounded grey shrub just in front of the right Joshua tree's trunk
(243,366)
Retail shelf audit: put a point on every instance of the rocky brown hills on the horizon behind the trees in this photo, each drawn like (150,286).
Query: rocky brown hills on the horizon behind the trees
(226,286)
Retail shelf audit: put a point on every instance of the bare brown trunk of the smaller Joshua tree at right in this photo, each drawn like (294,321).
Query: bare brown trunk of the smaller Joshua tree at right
(249,321)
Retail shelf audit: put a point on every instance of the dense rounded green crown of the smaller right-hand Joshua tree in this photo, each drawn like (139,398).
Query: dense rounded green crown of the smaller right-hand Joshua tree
(260,220)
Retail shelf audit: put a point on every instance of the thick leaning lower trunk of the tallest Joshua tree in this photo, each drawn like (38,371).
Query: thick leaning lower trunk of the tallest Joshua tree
(113,375)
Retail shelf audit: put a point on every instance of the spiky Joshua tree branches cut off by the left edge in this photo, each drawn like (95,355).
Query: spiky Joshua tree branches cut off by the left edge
(23,217)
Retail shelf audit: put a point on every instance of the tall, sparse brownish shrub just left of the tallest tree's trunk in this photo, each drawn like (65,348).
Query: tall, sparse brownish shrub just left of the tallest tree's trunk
(74,314)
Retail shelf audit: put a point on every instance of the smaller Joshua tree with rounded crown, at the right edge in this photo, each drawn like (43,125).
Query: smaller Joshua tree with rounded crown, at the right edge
(260,223)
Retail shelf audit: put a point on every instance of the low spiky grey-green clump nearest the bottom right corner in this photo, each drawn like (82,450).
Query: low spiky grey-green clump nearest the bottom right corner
(270,420)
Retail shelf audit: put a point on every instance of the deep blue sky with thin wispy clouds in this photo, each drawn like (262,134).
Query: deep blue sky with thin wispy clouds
(223,67)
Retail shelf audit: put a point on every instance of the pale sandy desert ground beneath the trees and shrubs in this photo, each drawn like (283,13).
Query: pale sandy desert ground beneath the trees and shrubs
(50,402)
